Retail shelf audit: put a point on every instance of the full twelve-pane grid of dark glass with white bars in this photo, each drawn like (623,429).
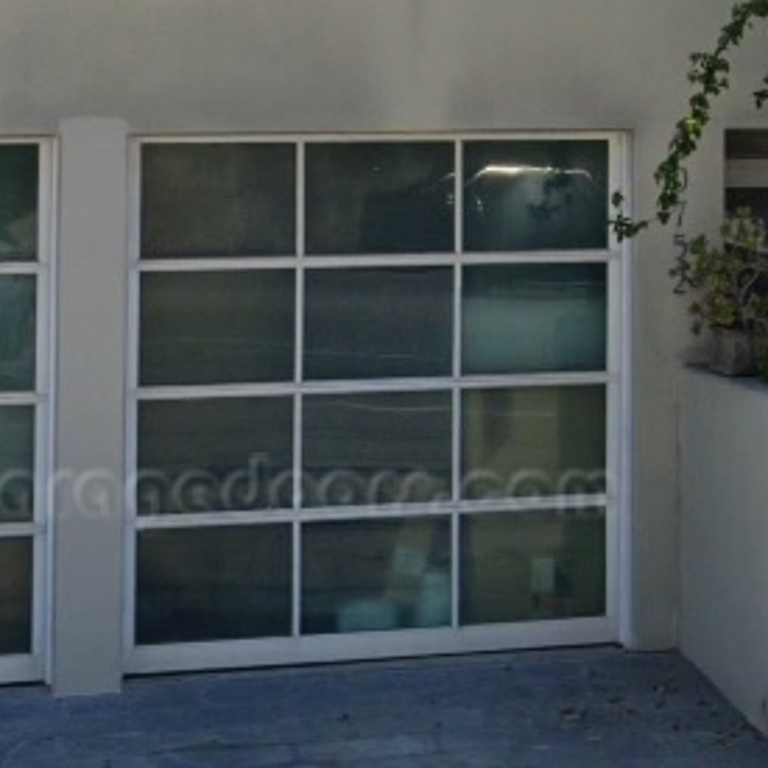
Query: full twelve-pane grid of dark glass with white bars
(375,385)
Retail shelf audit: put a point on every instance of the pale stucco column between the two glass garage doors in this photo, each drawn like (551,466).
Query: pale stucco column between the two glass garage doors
(90,381)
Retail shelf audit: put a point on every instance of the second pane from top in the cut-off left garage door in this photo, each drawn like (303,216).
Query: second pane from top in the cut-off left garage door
(17,333)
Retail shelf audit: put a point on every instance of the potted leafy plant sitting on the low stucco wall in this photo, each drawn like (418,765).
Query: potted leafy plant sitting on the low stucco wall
(729,285)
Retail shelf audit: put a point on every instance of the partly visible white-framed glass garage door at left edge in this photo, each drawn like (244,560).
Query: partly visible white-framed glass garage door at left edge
(23,406)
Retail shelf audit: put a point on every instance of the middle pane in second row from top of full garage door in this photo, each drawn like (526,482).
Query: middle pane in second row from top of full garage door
(375,323)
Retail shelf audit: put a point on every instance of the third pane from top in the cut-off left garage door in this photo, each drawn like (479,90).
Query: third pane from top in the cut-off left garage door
(17,456)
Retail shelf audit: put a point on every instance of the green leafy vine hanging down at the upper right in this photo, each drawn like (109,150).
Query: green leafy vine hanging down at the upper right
(710,76)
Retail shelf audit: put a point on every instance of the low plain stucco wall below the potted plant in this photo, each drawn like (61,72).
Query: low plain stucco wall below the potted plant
(724,622)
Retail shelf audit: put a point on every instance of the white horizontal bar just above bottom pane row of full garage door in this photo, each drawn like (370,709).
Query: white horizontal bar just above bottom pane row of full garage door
(316,514)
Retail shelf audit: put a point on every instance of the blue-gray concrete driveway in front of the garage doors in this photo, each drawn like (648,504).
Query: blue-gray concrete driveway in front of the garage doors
(595,707)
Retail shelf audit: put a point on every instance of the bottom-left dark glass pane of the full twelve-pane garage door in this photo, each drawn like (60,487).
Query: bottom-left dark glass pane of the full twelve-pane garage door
(213,584)
